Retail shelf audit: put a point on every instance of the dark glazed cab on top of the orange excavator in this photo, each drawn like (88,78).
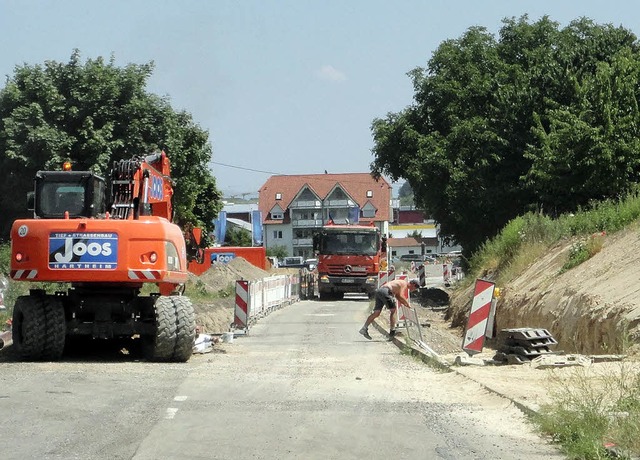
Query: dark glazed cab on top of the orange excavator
(80,193)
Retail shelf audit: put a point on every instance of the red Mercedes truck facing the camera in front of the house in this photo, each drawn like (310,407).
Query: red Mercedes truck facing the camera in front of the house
(349,259)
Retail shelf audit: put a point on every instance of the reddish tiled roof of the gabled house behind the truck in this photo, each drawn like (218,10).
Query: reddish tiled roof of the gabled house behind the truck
(354,184)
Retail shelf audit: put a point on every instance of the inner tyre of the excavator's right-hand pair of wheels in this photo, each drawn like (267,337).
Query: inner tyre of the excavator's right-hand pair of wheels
(160,345)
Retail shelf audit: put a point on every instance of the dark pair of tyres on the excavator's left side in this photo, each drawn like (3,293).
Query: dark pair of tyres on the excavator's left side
(38,328)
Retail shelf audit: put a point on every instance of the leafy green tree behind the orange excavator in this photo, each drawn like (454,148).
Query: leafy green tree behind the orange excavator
(94,114)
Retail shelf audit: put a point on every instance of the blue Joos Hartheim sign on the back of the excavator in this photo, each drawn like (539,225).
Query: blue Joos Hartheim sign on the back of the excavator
(83,251)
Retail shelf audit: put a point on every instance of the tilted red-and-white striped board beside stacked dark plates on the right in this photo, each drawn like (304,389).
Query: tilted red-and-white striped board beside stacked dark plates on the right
(478,317)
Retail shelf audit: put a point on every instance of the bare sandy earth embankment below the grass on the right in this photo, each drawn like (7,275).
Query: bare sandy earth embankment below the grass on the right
(593,308)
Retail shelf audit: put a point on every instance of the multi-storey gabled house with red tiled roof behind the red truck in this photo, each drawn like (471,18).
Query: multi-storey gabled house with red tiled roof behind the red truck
(295,206)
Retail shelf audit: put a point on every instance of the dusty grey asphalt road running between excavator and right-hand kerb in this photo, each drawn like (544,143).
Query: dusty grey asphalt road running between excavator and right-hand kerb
(303,384)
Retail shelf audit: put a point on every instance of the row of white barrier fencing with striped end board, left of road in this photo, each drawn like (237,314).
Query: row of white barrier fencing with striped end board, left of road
(257,298)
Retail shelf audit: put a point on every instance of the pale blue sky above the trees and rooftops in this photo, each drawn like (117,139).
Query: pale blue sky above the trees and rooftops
(281,86)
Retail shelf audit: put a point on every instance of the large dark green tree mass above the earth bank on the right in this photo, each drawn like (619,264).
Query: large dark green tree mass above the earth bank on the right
(539,118)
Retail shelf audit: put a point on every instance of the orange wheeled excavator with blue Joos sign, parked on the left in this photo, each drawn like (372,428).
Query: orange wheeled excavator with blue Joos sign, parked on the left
(104,254)
